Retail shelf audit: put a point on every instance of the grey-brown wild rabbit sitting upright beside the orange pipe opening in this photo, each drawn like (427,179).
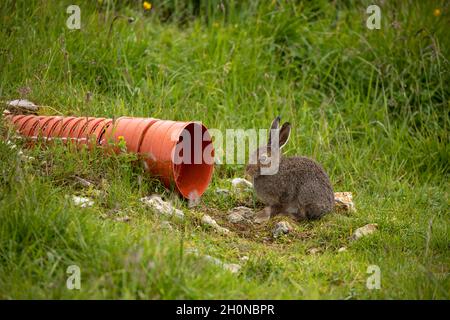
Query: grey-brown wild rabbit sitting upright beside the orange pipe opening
(300,188)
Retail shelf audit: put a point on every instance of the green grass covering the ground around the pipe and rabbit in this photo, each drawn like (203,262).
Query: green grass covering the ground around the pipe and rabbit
(370,105)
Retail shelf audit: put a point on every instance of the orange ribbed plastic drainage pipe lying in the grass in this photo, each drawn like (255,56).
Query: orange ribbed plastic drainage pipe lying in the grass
(178,153)
